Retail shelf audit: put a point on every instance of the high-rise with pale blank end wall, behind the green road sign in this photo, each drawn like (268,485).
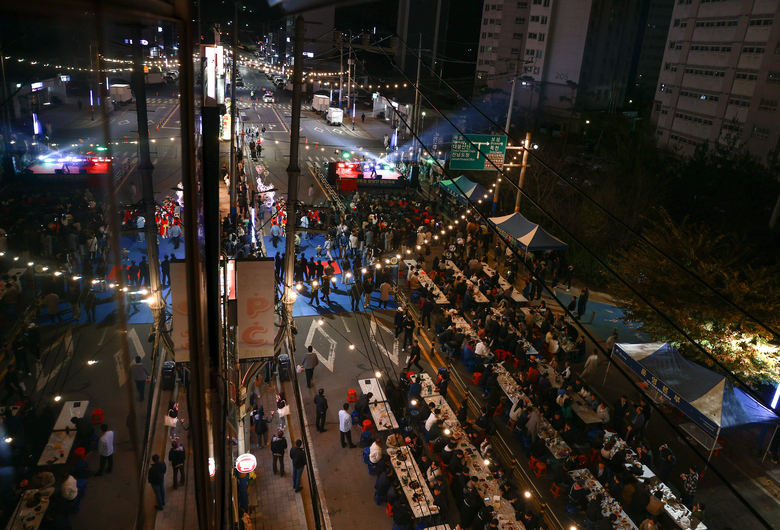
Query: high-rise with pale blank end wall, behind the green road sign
(575,55)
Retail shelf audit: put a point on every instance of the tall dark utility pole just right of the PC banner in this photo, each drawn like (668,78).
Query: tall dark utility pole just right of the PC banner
(293,172)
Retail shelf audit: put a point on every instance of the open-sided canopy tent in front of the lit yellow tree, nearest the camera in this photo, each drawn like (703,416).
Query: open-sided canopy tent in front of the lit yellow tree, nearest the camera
(705,396)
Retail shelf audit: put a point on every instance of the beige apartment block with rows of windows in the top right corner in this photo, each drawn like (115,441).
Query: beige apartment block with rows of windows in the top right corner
(720,76)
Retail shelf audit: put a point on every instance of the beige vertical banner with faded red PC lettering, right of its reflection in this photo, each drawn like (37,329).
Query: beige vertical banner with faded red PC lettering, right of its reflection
(255,296)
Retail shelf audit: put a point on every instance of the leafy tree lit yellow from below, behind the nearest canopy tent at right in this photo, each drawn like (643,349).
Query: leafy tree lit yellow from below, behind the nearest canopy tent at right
(721,260)
